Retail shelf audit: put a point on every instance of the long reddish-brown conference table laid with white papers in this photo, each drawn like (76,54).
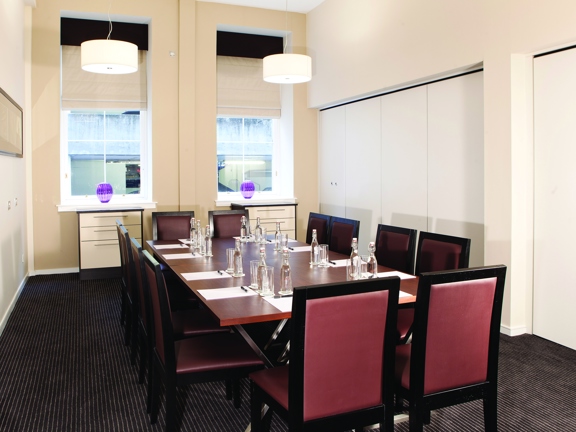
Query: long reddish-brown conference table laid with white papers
(245,306)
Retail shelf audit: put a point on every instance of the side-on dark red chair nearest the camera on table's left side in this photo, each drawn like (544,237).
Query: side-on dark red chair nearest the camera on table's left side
(212,357)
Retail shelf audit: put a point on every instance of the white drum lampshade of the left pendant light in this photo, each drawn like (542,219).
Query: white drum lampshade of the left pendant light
(109,56)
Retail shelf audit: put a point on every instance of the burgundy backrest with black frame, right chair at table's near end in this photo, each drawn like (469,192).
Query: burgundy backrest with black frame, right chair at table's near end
(456,330)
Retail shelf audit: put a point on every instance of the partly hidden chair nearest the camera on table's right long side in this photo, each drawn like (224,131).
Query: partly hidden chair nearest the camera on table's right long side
(435,252)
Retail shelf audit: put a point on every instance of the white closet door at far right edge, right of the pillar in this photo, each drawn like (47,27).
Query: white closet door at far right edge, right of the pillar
(554,300)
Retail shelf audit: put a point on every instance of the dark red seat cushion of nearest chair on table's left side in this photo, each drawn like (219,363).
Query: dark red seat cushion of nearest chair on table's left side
(214,352)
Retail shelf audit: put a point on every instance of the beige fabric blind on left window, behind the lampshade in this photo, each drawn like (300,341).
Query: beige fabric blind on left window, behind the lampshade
(87,90)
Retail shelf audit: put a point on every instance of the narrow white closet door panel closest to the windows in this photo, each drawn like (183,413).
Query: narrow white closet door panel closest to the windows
(332,161)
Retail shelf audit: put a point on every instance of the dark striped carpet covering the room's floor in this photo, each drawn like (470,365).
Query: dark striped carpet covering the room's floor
(63,367)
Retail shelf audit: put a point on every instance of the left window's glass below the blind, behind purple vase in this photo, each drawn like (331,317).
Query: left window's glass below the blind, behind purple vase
(102,146)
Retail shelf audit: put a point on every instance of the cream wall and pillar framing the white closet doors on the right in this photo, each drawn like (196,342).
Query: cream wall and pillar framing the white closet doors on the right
(366,46)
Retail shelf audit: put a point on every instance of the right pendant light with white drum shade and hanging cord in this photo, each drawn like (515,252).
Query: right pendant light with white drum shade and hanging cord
(287,68)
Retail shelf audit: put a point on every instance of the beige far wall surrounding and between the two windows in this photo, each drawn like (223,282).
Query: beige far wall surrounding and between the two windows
(183,109)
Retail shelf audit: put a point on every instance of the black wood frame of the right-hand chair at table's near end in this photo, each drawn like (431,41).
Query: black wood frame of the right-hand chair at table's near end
(421,404)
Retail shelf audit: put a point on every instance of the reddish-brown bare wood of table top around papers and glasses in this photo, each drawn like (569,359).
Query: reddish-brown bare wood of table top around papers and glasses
(253,308)
